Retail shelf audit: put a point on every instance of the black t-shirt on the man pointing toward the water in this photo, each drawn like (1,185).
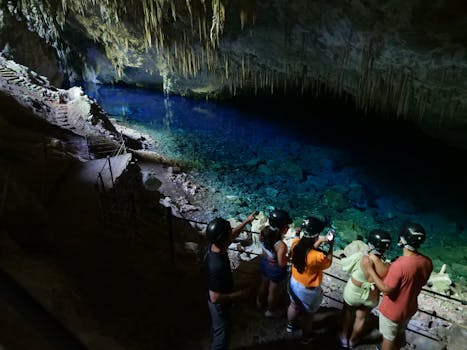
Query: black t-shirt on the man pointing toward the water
(218,272)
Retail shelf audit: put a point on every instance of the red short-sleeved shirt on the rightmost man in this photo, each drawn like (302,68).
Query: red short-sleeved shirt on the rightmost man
(408,274)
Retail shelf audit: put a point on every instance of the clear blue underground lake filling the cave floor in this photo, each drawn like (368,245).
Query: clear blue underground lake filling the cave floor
(360,172)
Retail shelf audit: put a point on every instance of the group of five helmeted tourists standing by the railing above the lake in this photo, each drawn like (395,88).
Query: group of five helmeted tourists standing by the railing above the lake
(371,274)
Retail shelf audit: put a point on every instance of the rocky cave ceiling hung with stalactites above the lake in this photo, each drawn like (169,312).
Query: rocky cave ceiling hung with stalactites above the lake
(406,57)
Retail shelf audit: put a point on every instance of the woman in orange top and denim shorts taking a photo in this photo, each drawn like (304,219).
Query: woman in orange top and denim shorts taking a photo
(308,264)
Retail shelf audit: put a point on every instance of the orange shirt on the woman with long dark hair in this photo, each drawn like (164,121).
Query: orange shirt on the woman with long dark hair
(316,262)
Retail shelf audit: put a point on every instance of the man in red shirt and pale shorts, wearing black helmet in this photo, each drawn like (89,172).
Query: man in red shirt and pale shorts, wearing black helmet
(401,286)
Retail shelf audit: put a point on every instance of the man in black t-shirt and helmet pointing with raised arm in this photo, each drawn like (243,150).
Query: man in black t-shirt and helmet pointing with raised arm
(220,285)
